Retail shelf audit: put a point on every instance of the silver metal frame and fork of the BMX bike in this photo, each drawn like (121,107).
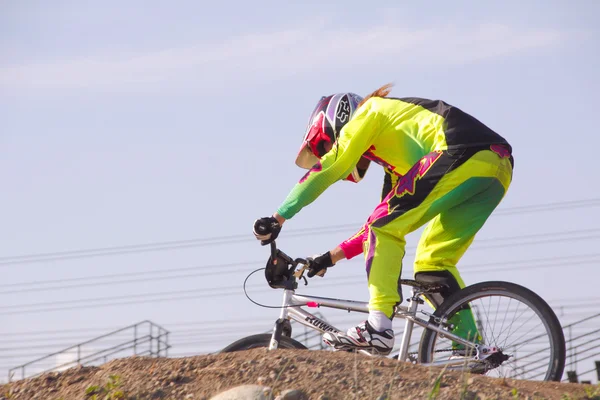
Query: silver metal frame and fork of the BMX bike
(291,309)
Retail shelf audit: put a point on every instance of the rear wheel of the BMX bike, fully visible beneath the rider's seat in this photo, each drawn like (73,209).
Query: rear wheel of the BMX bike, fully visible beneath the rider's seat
(509,317)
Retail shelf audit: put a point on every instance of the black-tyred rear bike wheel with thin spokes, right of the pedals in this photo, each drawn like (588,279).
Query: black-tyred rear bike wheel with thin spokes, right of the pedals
(555,362)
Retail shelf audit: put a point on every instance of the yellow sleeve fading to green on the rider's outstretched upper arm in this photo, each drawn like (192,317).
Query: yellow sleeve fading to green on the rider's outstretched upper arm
(355,139)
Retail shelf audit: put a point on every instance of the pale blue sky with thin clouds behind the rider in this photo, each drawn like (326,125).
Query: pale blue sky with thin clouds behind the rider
(145,122)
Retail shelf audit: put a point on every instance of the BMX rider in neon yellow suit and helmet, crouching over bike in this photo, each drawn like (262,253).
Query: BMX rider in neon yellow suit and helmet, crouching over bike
(441,165)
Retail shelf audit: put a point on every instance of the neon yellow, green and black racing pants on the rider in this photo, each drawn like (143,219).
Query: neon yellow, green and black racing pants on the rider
(456,193)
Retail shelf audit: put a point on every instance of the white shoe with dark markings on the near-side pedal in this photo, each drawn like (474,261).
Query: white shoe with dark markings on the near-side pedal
(362,337)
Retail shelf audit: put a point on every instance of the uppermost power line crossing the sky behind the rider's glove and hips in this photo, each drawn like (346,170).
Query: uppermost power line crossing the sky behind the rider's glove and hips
(211,241)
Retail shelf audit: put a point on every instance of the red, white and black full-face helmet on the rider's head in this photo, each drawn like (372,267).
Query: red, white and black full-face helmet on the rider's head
(324,126)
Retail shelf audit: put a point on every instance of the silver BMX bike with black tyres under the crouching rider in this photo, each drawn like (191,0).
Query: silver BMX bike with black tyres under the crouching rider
(520,334)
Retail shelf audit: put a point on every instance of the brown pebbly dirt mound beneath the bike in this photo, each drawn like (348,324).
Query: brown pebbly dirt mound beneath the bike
(319,374)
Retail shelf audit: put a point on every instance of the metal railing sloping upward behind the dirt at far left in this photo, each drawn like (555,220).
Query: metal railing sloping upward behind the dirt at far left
(148,339)
